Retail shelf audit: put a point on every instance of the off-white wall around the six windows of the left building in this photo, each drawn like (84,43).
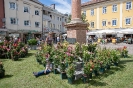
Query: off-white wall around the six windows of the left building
(21,16)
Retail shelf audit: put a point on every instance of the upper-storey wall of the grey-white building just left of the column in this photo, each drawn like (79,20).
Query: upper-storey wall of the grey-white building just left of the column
(54,22)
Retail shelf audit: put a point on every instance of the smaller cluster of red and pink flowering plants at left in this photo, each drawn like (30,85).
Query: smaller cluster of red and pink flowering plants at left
(13,50)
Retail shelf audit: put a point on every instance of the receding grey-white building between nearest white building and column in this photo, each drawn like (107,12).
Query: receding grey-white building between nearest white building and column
(53,20)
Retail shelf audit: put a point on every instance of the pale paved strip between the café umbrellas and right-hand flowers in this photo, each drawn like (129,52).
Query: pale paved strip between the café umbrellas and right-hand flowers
(119,45)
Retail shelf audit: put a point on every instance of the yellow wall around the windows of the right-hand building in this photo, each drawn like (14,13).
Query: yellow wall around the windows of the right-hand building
(119,15)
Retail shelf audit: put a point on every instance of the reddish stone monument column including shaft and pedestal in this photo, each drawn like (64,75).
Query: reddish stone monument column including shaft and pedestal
(76,29)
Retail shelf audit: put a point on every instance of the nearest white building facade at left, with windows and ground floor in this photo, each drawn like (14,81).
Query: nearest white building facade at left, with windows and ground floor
(23,17)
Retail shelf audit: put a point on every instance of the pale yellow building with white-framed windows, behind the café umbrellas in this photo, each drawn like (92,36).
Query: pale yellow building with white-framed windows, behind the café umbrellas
(109,14)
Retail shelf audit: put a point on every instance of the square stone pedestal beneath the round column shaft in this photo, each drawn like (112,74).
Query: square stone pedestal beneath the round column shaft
(76,32)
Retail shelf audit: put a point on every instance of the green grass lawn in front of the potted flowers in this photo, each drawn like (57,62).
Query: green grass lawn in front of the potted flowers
(19,75)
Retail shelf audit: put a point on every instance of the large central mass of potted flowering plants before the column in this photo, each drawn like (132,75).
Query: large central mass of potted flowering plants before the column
(94,59)
